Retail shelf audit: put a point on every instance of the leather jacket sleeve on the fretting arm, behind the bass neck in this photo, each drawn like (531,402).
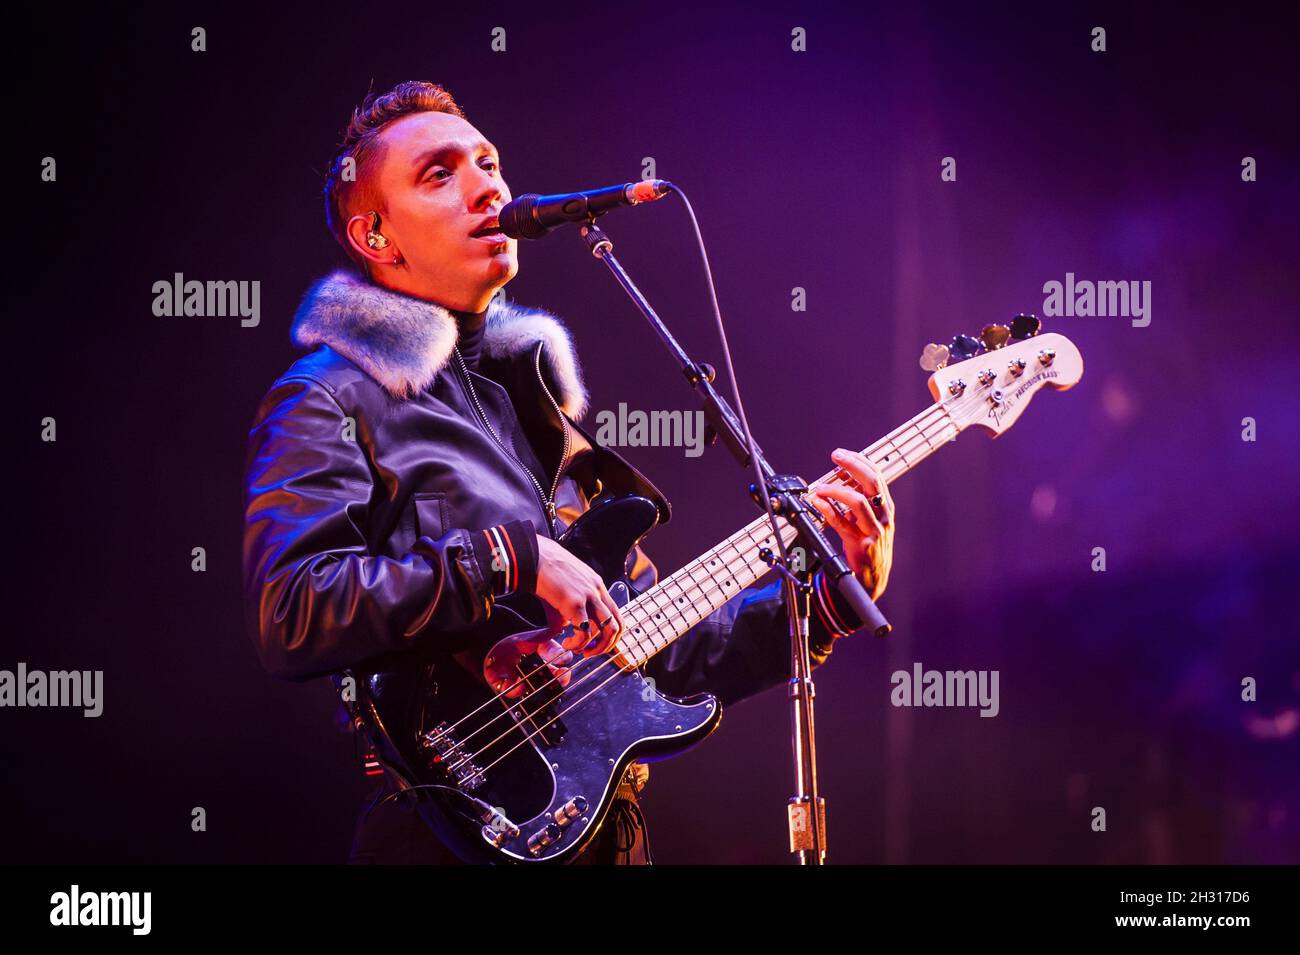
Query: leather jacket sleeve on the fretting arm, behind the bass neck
(744,646)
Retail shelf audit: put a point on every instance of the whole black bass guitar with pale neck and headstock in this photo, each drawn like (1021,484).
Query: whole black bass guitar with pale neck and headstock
(531,780)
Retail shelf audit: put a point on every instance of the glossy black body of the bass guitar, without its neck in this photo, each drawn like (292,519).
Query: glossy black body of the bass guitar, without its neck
(551,762)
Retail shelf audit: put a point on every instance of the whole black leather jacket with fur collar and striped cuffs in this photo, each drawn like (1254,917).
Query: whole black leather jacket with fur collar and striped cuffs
(374,488)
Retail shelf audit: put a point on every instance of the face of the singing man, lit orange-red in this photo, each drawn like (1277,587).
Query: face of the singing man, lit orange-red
(441,184)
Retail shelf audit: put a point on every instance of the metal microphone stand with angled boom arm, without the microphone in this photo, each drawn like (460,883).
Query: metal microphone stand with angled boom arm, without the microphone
(807,809)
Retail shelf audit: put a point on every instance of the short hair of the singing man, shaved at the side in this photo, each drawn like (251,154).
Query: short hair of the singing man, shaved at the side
(362,145)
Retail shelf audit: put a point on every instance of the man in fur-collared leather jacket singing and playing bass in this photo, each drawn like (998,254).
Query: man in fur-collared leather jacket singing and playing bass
(421,462)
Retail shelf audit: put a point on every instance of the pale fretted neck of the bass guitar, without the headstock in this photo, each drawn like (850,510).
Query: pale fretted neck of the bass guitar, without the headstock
(669,610)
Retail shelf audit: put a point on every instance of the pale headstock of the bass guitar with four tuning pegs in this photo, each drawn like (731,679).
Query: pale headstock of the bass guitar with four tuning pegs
(990,381)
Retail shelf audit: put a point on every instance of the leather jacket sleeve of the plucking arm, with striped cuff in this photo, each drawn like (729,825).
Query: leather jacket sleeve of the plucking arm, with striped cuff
(317,600)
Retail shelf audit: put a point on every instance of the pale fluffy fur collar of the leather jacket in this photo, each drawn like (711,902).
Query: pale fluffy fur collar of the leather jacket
(404,342)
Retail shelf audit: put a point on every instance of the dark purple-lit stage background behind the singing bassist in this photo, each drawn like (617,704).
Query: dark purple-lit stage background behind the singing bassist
(816,170)
